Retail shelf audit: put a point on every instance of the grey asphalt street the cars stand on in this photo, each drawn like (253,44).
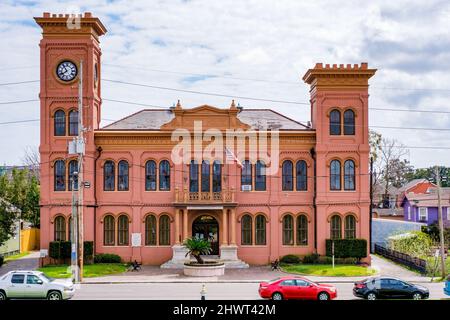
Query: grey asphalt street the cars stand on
(191,291)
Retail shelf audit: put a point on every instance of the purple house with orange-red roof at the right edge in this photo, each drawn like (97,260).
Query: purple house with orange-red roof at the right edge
(424,207)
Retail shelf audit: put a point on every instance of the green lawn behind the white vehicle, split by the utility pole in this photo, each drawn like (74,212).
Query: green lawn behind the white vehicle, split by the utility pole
(90,270)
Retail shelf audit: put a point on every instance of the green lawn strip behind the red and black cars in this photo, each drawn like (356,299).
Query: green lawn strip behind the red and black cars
(340,270)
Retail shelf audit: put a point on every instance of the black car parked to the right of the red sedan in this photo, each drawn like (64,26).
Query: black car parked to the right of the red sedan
(389,288)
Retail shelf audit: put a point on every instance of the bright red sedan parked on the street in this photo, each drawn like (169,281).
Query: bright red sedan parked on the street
(296,288)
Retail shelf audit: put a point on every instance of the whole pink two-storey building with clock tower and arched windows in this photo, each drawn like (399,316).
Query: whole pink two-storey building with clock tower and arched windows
(141,204)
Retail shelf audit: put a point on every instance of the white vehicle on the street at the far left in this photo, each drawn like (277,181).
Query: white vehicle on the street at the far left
(34,285)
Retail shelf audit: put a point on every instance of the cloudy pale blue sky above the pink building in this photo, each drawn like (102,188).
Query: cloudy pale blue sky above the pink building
(245,48)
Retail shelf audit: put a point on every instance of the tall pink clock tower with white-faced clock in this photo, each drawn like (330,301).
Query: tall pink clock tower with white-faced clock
(68,42)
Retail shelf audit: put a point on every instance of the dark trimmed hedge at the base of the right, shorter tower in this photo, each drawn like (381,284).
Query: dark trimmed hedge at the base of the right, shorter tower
(347,248)
